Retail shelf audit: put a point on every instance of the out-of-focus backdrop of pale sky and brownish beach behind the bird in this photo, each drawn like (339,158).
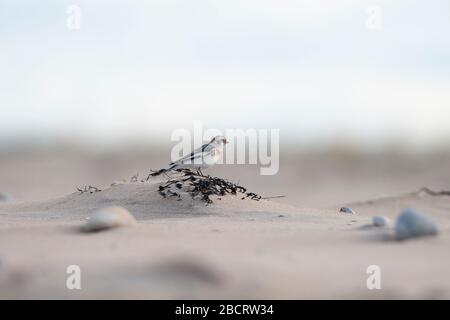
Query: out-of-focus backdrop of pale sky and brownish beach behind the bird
(90,92)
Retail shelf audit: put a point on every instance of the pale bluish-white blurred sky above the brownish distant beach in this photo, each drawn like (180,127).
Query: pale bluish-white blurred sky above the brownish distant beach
(136,70)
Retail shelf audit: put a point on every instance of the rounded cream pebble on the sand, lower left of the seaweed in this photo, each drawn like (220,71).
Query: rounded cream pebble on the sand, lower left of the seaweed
(107,218)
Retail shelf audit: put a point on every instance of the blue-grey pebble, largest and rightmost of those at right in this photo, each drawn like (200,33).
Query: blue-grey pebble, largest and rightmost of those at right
(411,224)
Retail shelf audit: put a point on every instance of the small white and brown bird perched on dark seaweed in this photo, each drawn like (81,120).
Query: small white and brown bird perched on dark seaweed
(205,156)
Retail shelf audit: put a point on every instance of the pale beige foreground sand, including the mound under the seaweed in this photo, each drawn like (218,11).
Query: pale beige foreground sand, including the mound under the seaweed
(231,249)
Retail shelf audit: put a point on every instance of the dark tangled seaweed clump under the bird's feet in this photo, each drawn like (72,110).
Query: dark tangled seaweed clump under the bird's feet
(202,187)
